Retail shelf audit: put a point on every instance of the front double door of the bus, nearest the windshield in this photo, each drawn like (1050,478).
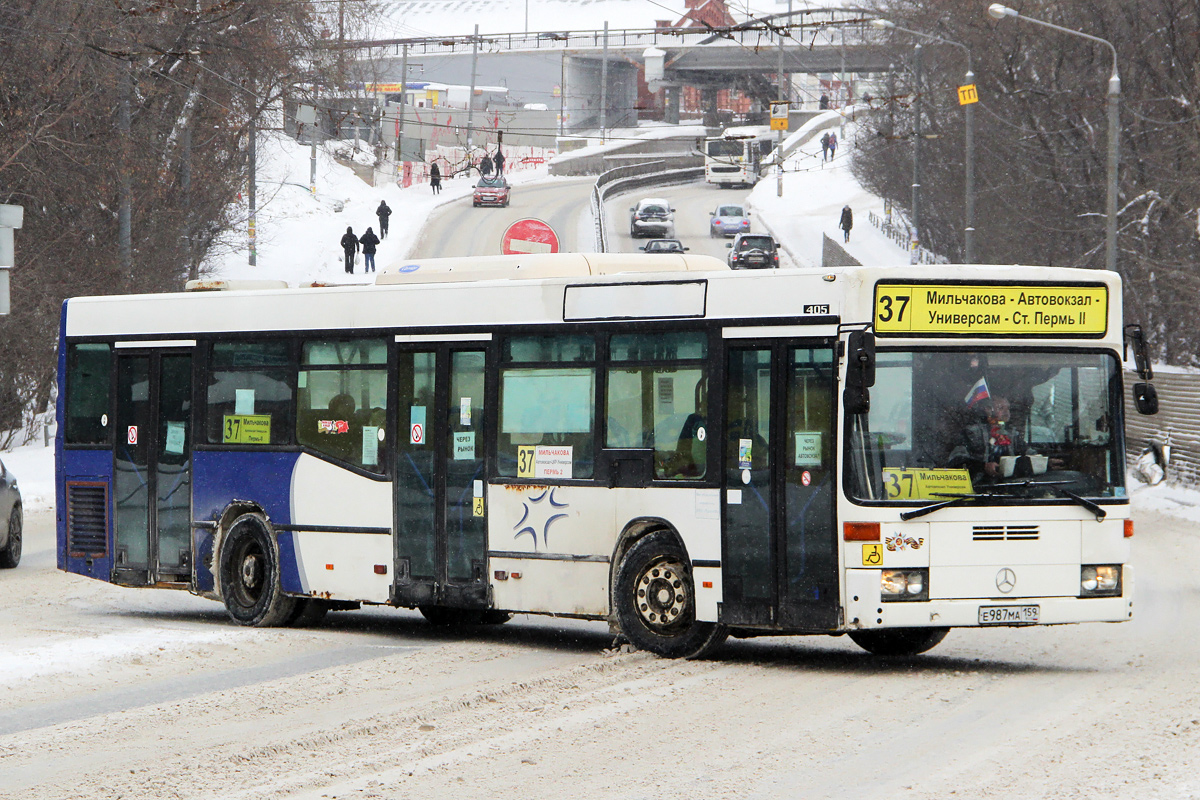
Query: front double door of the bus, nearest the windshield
(779,546)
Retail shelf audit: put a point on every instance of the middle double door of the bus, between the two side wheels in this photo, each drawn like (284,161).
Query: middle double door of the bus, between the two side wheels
(441,478)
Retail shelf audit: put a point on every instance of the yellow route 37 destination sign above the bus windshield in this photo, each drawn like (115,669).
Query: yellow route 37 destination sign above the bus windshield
(991,310)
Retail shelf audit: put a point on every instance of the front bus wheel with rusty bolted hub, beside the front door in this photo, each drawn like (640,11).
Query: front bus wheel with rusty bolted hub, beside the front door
(655,600)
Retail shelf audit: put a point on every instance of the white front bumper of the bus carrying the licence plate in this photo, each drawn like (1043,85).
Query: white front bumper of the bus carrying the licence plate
(865,610)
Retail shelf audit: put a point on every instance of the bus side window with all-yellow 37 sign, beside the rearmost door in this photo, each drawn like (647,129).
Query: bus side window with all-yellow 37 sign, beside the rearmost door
(249,400)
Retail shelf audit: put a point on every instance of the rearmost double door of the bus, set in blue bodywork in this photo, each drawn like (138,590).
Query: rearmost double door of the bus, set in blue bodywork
(153,467)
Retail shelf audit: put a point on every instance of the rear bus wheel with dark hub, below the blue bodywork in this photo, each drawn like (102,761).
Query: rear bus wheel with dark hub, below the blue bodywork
(250,575)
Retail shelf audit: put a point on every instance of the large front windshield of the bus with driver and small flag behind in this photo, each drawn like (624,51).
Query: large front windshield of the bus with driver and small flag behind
(1029,425)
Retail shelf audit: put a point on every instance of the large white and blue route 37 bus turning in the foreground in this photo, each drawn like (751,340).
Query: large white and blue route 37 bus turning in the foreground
(687,454)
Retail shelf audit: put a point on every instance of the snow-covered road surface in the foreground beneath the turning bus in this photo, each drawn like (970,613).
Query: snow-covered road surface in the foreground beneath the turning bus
(117,693)
